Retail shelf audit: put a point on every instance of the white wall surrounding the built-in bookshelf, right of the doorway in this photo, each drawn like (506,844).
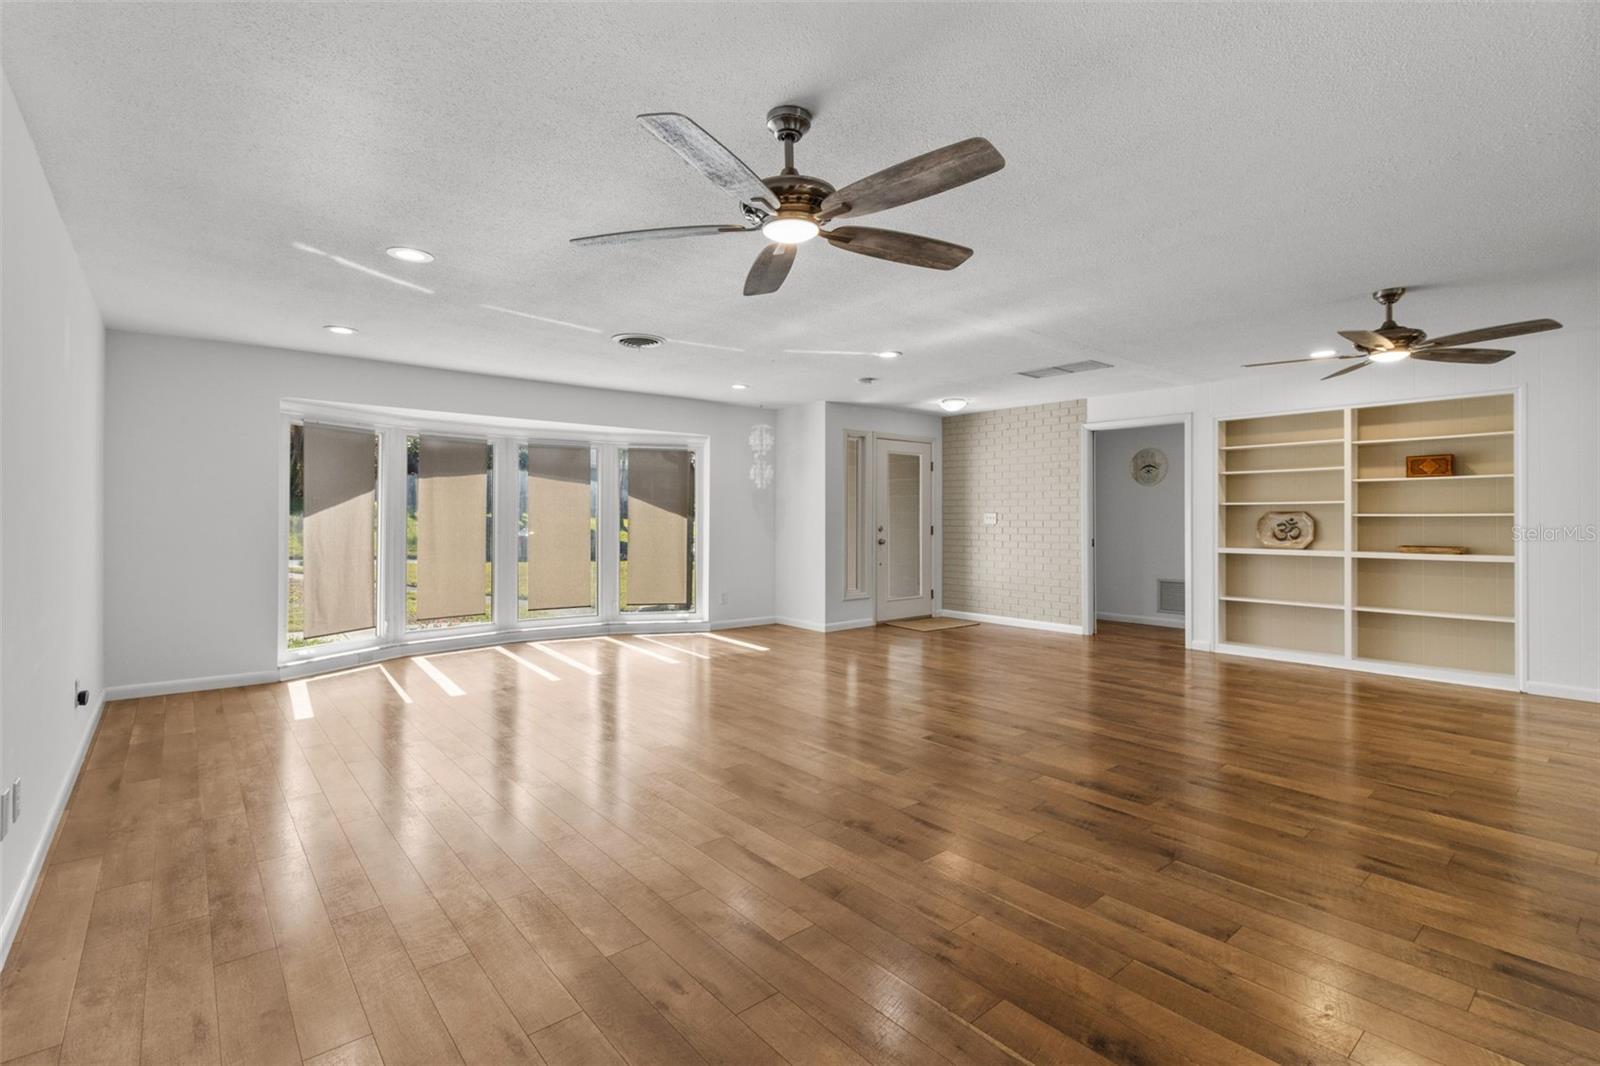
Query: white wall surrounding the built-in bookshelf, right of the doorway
(1561,379)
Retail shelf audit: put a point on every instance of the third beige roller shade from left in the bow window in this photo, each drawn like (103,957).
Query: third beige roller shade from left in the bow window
(561,574)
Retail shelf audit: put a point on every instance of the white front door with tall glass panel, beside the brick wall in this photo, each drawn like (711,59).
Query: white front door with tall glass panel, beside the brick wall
(905,529)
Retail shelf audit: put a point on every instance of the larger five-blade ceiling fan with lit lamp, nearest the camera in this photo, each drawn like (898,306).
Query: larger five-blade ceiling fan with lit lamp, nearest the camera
(793,209)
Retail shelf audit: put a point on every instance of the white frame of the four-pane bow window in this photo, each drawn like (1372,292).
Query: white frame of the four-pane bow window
(506,438)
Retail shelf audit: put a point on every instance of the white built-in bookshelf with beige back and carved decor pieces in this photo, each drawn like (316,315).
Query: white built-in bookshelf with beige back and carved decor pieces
(1354,595)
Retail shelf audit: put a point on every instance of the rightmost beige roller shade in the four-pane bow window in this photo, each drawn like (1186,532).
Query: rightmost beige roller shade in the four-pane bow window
(660,511)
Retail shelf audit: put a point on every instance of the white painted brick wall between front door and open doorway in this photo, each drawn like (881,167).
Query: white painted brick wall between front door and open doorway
(1023,465)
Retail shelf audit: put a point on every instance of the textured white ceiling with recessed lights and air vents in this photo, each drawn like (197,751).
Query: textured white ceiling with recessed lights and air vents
(1188,188)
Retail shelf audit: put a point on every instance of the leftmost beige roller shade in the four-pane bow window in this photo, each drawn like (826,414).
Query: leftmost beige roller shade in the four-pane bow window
(340,491)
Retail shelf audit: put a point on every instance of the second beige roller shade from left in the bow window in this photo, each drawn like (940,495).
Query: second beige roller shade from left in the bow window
(452,550)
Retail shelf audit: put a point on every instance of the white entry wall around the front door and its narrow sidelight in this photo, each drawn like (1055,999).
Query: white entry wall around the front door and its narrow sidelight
(881,423)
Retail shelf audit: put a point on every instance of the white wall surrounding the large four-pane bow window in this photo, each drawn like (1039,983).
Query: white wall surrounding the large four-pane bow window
(193,476)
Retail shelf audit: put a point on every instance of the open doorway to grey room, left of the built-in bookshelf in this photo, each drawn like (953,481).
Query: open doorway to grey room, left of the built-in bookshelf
(1137,489)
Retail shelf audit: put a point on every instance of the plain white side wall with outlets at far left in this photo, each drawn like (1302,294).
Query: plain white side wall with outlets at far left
(52,377)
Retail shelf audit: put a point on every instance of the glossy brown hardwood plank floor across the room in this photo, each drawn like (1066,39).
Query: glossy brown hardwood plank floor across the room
(977,846)
